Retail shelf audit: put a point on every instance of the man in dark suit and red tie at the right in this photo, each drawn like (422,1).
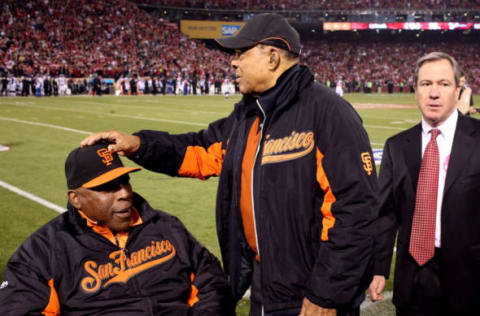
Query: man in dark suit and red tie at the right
(432,202)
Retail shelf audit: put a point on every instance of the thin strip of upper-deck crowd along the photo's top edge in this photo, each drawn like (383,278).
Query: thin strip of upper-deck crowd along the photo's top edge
(317,4)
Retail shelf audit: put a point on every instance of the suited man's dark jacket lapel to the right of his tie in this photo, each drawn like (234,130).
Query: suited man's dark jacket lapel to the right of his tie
(461,151)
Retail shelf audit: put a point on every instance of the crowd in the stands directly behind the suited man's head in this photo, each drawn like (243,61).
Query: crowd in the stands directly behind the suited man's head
(367,66)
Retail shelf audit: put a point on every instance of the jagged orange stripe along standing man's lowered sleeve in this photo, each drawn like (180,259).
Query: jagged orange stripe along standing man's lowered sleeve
(326,209)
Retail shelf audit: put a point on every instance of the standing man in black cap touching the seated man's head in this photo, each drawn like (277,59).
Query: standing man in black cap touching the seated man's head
(297,188)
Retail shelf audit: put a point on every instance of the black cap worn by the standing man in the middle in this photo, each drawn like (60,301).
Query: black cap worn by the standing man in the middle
(267,28)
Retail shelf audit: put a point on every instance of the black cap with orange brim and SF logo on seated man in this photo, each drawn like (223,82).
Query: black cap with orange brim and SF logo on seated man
(91,166)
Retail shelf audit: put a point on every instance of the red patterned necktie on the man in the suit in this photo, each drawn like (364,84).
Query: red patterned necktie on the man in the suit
(422,238)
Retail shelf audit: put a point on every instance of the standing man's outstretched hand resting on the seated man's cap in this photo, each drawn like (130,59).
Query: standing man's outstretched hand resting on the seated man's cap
(122,143)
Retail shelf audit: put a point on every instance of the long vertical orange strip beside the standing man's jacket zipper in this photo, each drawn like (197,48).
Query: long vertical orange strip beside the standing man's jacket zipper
(246,203)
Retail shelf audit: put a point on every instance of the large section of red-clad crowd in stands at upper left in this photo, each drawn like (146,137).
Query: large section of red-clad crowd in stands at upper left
(111,38)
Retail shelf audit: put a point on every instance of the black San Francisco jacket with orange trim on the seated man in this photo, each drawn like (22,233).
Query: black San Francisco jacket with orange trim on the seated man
(65,268)
